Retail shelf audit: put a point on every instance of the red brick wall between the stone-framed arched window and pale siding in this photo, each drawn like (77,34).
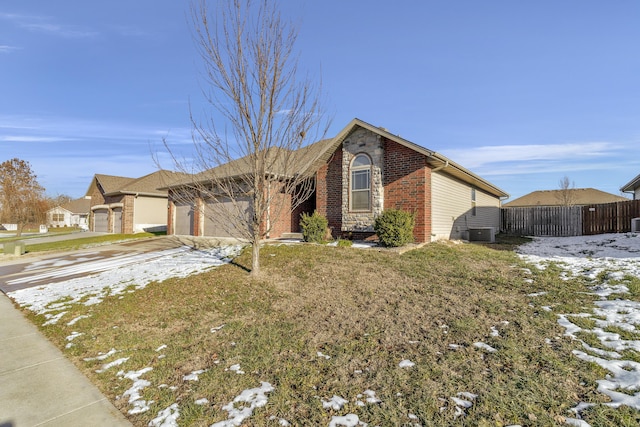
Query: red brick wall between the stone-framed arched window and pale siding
(407,186)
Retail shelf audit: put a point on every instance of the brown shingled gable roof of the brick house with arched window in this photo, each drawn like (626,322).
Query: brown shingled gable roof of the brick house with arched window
(310,158)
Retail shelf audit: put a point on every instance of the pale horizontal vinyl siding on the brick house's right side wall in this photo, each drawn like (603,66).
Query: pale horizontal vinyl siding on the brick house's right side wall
(451,212)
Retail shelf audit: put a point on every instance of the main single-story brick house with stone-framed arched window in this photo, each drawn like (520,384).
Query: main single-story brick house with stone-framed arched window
(363,171)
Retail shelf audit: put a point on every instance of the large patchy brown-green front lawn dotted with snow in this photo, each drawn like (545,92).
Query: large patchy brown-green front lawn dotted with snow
(444,335)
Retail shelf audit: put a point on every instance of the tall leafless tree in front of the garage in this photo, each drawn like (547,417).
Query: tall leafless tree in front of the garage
(251,150)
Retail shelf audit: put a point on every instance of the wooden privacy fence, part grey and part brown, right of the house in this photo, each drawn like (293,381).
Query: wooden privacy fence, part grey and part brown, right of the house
(571,220)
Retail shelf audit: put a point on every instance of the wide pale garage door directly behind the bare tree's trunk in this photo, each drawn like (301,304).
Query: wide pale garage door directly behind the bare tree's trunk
(220,217)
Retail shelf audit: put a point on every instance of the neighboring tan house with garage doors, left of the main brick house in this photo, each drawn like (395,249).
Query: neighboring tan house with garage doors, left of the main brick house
(129,205)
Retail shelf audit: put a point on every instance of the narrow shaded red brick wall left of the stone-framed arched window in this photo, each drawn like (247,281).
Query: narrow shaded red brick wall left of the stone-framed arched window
(329,192)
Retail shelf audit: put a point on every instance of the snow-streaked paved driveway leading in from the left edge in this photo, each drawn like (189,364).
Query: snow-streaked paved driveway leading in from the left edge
(35,270)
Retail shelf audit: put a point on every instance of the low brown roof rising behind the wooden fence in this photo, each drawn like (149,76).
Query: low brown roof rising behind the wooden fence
(568,197)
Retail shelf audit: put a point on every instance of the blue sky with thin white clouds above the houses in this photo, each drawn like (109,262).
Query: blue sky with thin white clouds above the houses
(520,92)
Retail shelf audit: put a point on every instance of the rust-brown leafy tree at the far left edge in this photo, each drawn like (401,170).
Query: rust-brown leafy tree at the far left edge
(22,199)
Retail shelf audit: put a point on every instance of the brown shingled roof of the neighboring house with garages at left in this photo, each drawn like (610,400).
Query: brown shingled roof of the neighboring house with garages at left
(148,185)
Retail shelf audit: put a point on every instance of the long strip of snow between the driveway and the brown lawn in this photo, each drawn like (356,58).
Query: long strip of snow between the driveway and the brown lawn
(114,277)
